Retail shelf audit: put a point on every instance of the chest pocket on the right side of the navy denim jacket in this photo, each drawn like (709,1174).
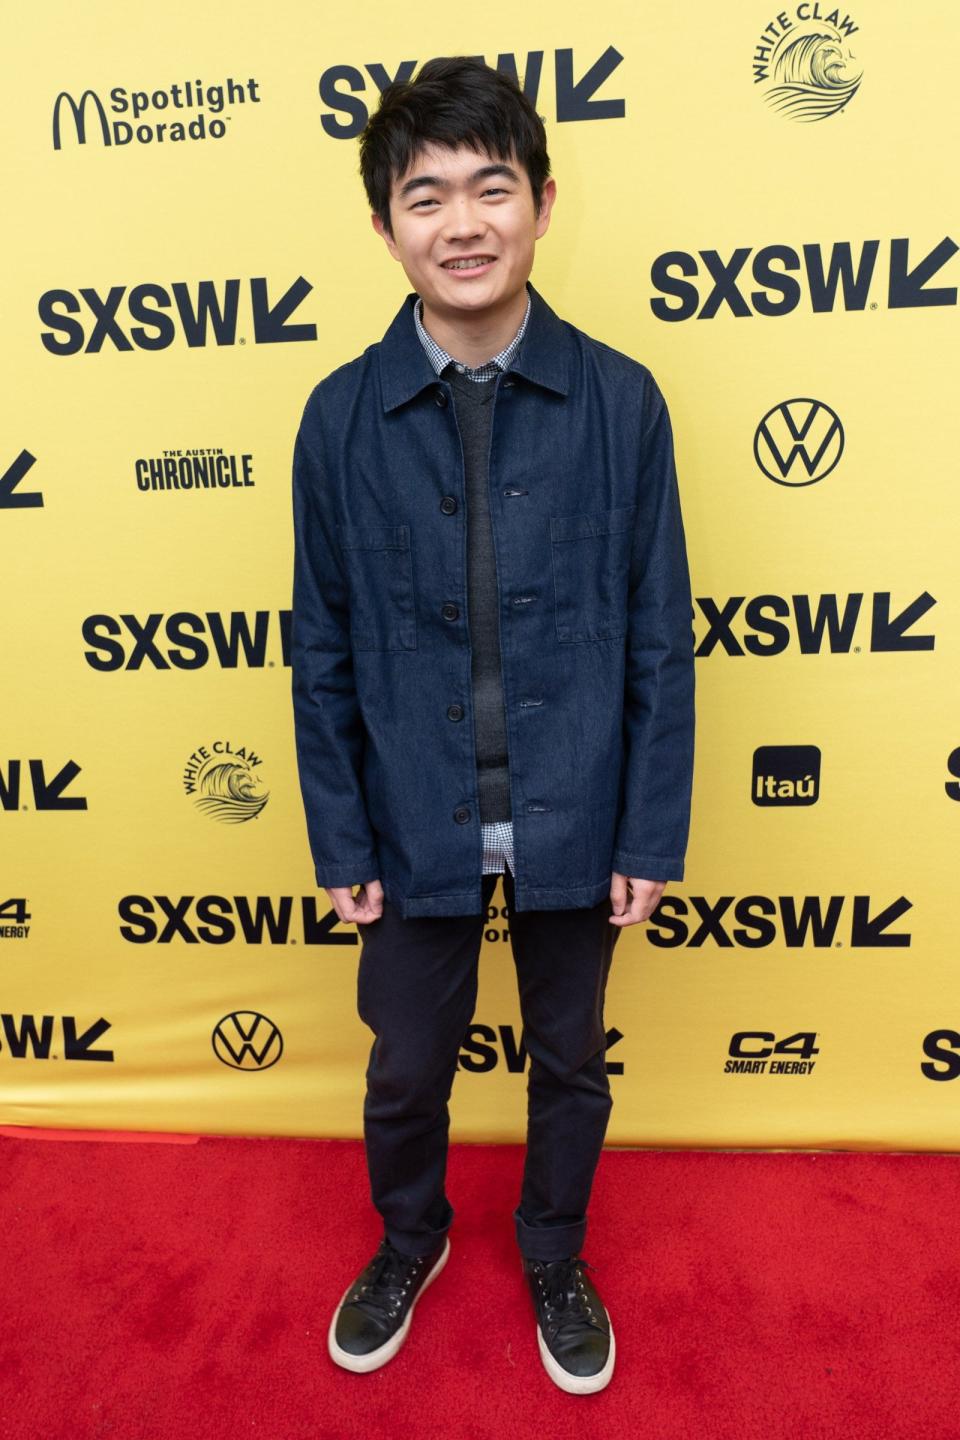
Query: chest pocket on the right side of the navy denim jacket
(591,572)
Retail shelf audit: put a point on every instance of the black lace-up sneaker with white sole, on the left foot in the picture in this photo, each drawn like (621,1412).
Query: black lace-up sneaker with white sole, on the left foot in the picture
(373,1318)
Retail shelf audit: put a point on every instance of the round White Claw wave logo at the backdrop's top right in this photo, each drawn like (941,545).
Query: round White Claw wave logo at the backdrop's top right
(805,63)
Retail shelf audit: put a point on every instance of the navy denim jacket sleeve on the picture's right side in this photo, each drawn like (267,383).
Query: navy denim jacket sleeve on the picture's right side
(658,702)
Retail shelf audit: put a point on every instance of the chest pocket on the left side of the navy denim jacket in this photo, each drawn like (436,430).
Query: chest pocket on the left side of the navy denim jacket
(379,564)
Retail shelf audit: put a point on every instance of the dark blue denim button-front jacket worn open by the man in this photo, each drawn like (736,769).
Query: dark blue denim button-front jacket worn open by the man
(595,626)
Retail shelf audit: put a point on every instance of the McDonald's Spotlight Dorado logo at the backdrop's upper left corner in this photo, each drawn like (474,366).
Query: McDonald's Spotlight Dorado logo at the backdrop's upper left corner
(208,103)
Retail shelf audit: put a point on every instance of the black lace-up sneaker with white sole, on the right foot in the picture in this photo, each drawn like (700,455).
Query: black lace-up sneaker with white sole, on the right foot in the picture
(574,1328)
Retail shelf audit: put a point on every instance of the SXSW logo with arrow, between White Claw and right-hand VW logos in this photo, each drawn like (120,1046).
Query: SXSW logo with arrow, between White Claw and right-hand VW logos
(778,280)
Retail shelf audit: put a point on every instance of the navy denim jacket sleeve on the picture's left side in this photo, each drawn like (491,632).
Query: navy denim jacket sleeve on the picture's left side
(327,719)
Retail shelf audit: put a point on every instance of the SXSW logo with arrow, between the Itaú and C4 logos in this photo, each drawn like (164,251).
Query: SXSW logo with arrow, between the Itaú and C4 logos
(755,922)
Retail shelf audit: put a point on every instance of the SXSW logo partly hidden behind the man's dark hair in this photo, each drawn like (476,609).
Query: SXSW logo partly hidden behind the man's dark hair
(342,87)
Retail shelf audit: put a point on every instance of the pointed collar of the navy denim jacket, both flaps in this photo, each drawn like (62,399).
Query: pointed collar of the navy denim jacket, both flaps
(545,356)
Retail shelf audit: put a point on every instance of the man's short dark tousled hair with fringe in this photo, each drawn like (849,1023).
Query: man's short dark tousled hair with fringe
(453,102)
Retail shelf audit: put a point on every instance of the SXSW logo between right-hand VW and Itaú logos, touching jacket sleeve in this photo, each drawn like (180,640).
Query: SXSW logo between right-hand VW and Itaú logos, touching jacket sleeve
(774,624)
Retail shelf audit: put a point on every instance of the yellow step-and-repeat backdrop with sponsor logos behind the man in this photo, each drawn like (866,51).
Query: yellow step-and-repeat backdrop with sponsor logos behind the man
(758,204)
